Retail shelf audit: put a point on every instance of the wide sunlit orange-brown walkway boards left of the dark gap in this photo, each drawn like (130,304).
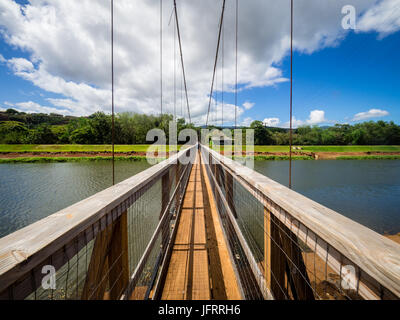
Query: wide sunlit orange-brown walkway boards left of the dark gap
(188,271)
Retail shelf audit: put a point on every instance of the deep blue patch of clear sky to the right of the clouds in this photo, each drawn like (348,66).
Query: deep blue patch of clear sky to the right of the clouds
(360,74)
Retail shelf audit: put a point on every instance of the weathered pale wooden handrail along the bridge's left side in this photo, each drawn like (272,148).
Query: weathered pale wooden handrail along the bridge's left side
(28,247)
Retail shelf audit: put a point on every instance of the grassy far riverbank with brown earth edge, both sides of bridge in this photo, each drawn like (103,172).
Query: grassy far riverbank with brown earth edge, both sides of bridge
(64,153)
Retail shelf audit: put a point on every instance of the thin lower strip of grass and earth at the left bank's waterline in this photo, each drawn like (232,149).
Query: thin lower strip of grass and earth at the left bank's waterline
(68,159)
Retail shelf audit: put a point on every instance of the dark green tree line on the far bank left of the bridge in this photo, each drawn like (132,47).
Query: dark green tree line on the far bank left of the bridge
(130,128)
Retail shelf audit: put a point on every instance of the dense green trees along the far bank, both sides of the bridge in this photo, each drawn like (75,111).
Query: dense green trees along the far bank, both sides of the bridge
(131,128)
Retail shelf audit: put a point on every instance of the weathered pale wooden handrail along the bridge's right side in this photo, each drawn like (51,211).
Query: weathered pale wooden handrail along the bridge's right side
(377,257)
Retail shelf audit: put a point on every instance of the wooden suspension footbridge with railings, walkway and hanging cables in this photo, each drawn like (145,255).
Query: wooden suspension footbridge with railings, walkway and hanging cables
(198,226)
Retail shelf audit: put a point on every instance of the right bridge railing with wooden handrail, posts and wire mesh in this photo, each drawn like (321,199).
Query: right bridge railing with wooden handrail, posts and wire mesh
(290,247)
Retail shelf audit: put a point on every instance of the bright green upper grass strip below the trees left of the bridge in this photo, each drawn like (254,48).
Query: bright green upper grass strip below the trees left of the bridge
(74,148)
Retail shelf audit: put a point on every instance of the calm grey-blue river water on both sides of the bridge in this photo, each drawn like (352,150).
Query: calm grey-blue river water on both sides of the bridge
(366,191)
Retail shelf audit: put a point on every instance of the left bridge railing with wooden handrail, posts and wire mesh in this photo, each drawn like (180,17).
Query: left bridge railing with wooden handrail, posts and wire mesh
(108,246)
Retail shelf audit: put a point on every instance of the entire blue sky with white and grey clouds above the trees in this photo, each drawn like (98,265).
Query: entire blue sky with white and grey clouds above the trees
(55,56)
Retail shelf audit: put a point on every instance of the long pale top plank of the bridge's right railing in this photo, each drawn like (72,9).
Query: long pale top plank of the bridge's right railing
(375,255)
